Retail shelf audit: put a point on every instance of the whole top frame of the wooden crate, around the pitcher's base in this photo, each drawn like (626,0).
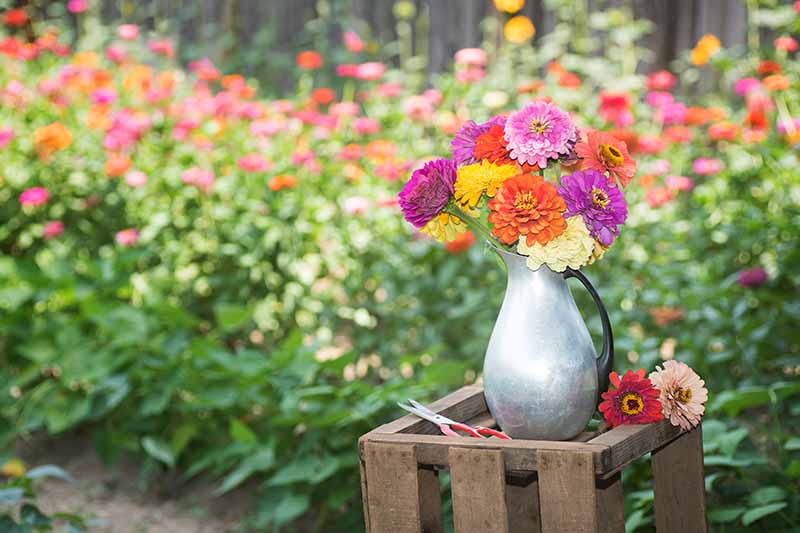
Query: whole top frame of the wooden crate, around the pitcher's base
(611,450)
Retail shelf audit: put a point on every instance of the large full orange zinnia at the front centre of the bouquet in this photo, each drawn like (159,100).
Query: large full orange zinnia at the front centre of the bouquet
(527,206)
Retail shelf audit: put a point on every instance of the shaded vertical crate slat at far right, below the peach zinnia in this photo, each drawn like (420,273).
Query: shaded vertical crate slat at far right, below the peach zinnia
(680,496)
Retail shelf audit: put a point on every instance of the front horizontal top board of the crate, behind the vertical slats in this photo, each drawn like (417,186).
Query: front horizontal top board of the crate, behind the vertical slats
(520,455)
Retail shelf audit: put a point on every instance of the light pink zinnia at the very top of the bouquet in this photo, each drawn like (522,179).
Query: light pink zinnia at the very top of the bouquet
(538,132)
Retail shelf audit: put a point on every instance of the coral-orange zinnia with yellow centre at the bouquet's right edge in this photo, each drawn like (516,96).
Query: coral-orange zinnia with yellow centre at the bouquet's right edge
(605,153)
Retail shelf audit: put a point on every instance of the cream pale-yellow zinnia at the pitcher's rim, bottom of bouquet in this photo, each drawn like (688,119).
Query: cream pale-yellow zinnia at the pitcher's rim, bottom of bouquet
(570,249)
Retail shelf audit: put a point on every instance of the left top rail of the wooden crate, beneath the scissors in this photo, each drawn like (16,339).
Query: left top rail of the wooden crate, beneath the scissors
(463,404)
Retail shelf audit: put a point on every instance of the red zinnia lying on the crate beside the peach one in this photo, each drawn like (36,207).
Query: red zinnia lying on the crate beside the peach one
(631,400)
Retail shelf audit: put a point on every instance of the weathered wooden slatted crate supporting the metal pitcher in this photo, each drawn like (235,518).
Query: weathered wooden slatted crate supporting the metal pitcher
(524,485)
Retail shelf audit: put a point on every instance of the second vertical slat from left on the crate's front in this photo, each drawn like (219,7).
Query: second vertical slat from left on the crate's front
(478,484)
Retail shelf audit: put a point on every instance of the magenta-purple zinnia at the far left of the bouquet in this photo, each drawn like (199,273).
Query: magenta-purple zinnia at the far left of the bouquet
(428,191)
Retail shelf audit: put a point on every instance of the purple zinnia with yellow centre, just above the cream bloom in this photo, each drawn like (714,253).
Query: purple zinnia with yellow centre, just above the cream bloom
(602,205)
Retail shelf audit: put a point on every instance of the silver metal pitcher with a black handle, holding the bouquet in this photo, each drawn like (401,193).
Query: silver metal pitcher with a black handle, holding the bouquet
(541,375)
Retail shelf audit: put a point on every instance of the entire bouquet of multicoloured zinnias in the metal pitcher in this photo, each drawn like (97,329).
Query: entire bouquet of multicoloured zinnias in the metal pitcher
(528,182)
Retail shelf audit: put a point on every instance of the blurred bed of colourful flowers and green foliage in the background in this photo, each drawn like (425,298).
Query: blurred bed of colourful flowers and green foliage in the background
(225,285)
